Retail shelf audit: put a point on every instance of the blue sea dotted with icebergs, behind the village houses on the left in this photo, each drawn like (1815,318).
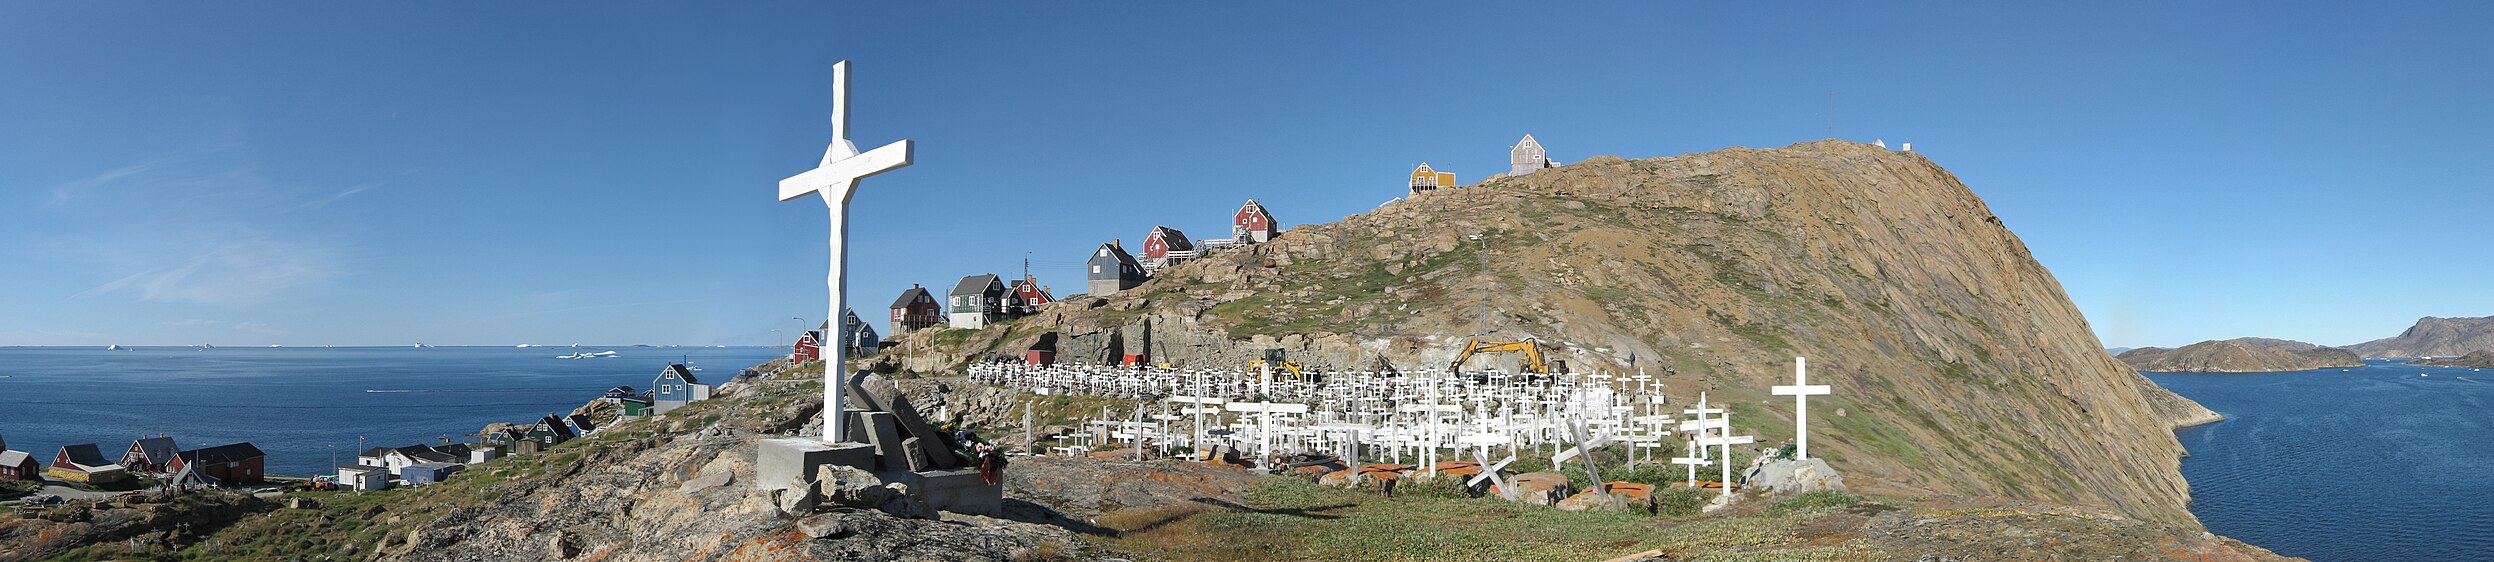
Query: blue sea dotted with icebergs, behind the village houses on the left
(306,403)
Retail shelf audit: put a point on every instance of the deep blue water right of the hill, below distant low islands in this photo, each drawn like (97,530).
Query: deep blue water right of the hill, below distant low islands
(2371,463)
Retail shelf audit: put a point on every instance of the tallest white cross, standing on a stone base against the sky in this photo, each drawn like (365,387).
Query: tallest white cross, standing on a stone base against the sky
(839,181)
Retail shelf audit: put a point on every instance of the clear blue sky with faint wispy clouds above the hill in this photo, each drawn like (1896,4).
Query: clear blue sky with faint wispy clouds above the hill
(493,174)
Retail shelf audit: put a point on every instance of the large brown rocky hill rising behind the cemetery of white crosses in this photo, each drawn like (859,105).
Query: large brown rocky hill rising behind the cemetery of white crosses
(1957,358)
